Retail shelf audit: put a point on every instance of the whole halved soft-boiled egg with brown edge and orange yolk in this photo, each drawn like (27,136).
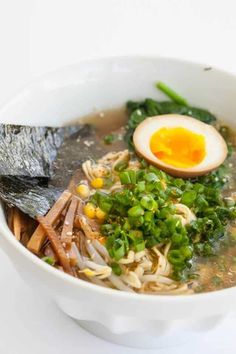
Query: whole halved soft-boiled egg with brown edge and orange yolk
(180,145)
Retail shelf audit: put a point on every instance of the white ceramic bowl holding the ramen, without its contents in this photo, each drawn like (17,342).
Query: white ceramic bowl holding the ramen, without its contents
(71,92)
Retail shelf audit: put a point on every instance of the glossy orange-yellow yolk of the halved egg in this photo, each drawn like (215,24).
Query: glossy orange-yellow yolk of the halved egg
(178,147)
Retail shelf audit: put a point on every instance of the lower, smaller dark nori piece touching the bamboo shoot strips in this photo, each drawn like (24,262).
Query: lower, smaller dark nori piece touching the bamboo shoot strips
(30,195)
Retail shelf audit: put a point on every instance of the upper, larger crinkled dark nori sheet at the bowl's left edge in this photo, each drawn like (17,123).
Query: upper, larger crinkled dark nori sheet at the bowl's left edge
(30,151)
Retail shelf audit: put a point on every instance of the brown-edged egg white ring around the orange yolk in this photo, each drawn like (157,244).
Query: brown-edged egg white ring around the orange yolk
(216,148)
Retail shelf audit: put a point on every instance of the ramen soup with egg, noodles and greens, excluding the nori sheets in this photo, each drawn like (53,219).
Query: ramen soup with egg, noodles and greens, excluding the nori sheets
(152,207)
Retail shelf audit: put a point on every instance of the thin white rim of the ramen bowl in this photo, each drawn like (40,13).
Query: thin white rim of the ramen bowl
(68,279)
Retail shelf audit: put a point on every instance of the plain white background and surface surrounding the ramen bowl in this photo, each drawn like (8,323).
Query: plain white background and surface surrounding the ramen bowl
(40,35)
